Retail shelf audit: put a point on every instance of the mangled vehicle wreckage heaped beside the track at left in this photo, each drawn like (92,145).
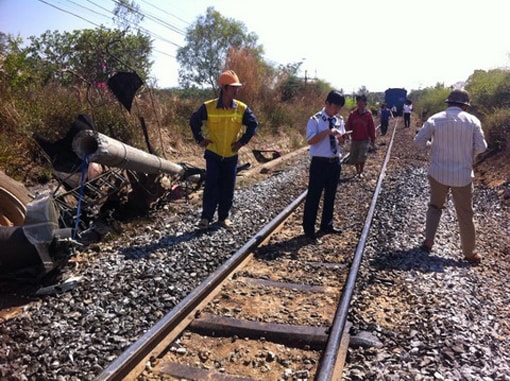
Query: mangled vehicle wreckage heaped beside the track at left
(99,180)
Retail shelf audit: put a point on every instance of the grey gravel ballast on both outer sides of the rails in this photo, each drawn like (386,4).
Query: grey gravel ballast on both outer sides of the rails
(438,317)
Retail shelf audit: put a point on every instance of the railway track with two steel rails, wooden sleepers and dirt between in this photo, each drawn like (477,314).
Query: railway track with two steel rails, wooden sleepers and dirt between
(276,309)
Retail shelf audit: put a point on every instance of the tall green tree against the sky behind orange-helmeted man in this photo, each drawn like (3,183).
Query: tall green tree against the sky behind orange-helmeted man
(208,42)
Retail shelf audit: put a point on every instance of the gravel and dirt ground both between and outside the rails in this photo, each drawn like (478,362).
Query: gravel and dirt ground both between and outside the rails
(435,315)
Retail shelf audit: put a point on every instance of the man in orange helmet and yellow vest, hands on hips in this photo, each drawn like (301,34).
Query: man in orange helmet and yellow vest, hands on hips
(217,125)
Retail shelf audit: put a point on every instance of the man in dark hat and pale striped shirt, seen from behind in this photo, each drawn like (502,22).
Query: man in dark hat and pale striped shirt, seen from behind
(454,137)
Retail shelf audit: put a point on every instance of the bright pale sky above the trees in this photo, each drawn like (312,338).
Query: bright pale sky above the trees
(371,43)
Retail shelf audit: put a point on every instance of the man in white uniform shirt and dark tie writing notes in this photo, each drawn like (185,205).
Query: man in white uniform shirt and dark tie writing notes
(324,131)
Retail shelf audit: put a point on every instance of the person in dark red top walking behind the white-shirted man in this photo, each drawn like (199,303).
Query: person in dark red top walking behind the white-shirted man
(362,125)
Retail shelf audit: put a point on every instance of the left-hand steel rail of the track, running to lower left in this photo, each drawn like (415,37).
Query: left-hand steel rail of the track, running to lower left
(120,368)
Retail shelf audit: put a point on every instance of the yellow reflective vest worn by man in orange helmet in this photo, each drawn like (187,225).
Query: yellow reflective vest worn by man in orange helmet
(223,127)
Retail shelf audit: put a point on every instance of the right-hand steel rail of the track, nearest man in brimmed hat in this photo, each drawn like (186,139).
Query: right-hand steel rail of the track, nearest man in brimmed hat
(327,366)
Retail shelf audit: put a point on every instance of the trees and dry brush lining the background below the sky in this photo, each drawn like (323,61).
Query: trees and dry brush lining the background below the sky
(50,79)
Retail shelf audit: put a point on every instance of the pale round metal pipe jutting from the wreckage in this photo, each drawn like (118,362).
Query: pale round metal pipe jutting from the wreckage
(107,151)
